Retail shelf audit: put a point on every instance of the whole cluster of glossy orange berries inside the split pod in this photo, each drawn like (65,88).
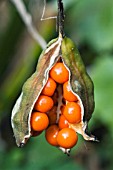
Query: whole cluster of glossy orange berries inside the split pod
(56,108)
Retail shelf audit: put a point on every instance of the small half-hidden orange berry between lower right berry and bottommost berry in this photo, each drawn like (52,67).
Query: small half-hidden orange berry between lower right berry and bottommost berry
(63,123)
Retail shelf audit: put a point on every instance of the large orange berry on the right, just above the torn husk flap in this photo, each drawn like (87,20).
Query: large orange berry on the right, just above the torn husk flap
(72,112)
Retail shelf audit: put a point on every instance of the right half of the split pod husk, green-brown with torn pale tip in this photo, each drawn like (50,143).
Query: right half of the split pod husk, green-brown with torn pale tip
(80,83)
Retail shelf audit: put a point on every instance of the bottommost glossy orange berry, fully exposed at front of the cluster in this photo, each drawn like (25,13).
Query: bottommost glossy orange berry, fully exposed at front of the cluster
(67,138)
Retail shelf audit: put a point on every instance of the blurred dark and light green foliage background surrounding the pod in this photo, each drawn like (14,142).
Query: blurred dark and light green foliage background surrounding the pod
(89,23)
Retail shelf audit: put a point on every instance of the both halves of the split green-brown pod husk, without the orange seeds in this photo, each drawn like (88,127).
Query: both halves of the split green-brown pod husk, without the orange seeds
(81,86)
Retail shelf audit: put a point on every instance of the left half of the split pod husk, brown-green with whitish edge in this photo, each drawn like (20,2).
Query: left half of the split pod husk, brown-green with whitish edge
(31,90)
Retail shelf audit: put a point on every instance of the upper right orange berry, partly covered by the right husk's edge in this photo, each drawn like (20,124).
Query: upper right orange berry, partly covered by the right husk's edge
(67,94)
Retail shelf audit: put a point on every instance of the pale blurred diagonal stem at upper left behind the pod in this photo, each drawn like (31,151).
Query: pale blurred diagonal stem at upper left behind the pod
(27,19)
